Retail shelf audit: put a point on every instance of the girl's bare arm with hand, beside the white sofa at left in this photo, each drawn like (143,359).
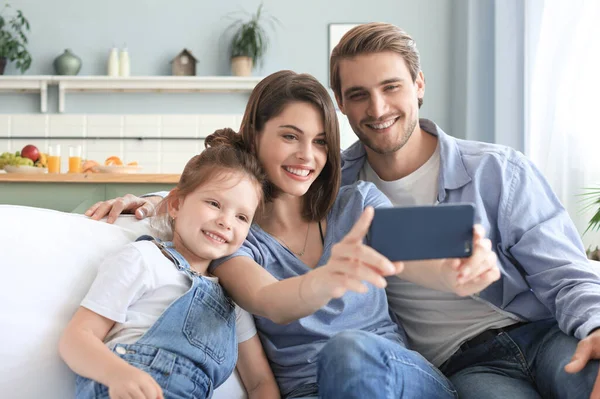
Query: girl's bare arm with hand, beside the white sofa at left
(81,347)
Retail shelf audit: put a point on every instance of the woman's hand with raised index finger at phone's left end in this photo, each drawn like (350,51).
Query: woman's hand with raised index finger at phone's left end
(351,264)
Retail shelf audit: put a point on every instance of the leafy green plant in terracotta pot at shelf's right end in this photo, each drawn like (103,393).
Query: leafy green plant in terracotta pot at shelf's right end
(250,41)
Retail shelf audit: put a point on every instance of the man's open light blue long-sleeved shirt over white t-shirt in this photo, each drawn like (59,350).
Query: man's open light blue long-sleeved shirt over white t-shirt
(545,273)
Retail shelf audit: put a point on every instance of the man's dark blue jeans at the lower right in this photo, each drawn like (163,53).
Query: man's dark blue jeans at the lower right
(527,362)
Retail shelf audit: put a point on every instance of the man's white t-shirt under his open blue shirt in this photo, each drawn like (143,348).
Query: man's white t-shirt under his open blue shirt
(436,323)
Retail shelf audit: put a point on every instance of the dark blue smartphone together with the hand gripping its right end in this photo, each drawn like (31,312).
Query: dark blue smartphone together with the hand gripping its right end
(453,254)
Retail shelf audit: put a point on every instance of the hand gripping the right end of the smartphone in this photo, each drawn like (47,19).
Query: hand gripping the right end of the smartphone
(471,275)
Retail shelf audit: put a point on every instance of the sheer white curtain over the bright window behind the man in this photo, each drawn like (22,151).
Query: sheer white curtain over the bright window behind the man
(562,78)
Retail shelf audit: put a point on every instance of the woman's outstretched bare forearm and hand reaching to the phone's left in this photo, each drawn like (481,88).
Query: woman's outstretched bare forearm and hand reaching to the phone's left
(350,265)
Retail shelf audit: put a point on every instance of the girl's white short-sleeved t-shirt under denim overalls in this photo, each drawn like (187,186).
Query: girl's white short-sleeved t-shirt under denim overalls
(136,285)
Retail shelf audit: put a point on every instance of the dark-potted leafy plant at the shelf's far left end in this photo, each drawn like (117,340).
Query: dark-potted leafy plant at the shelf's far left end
(13,40)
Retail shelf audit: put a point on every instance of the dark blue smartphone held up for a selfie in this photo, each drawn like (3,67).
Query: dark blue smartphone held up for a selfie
(423,232)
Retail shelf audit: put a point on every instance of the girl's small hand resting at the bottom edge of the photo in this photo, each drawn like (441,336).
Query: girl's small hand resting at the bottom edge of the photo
(133,383)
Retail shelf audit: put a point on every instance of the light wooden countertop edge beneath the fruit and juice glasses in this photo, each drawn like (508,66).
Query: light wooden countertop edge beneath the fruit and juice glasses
(89,178)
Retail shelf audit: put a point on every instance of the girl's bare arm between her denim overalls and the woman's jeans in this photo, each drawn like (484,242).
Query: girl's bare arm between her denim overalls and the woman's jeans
(255,371)
